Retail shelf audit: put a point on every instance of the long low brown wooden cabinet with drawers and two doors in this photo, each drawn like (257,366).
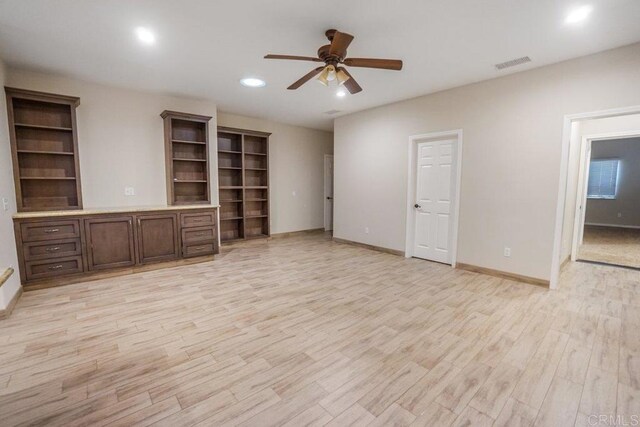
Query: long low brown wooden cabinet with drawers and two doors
(65,248)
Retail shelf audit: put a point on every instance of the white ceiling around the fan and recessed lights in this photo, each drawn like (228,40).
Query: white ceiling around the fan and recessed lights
(205,46)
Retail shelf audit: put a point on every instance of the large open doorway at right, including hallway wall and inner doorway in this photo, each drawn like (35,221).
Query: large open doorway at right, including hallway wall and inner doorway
(600,214)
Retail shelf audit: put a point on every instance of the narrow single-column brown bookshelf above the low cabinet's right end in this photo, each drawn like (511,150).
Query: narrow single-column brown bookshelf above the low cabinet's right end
(186,158)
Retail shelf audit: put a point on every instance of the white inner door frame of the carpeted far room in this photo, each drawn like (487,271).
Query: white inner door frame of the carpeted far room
(583,179)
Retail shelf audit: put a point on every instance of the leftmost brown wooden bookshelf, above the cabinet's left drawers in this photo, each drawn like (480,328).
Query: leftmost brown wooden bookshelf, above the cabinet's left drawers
(44,149)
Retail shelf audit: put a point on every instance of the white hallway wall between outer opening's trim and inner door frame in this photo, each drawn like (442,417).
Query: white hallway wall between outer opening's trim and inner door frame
(579,130)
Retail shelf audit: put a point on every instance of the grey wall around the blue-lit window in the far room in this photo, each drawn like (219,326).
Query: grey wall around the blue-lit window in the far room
(627,201)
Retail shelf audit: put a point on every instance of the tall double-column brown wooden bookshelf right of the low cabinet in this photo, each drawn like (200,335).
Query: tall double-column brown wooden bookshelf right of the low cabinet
(243,183)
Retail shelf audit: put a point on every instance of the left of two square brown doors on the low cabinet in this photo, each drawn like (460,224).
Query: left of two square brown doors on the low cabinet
(110,242)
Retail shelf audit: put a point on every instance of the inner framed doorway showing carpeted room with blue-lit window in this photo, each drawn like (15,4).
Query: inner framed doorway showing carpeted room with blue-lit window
(607,217)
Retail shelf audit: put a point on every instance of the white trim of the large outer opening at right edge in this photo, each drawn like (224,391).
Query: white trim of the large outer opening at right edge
(556,262)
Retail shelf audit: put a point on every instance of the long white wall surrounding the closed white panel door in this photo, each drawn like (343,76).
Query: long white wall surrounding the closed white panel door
(511,158)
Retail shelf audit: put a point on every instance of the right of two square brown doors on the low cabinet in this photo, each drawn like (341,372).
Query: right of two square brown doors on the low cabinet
(158,237)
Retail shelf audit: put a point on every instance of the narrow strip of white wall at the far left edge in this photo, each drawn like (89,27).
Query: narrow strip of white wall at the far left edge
(8,255)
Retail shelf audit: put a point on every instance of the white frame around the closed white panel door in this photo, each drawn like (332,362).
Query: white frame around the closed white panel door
(411,188)
